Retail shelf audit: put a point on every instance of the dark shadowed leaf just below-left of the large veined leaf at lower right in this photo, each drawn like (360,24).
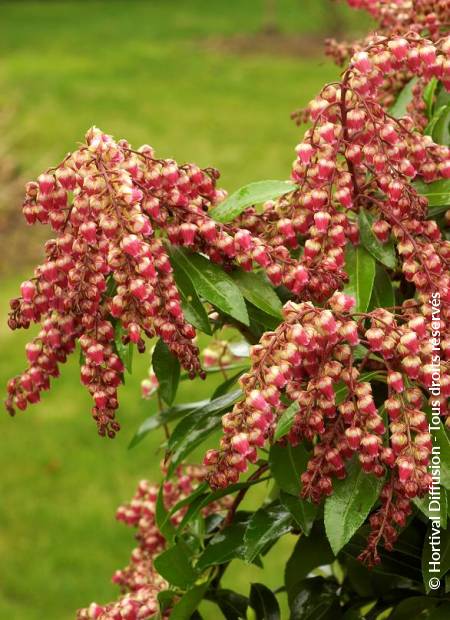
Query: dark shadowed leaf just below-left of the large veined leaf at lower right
(308,553)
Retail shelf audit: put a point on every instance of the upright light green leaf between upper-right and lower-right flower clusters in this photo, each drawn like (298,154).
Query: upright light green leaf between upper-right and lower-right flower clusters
(360,266)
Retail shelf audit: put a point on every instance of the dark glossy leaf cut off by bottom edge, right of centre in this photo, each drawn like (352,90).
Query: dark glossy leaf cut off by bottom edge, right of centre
(316,599)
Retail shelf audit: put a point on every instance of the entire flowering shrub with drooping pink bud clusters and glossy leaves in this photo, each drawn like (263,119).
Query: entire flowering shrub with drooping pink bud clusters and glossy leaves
(325,304)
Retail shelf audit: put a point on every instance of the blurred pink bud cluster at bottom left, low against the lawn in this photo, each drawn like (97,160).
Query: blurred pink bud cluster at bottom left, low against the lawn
(139,582)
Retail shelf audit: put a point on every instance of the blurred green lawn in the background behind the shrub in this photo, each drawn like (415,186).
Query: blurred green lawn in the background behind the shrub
(139,70)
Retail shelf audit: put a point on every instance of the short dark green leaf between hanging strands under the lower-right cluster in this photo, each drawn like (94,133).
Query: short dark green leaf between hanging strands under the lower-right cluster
(287,463)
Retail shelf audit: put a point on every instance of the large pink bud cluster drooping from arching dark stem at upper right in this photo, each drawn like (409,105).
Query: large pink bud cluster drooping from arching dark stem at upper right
(356,156)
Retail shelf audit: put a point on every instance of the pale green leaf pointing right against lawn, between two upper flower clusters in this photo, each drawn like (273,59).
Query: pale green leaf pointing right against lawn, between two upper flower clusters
(251,194)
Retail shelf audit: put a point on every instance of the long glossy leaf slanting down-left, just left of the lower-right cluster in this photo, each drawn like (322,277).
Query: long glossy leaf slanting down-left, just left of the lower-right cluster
(194,428)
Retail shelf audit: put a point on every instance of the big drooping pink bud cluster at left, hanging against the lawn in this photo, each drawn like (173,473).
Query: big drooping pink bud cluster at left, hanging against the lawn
(107,269)
